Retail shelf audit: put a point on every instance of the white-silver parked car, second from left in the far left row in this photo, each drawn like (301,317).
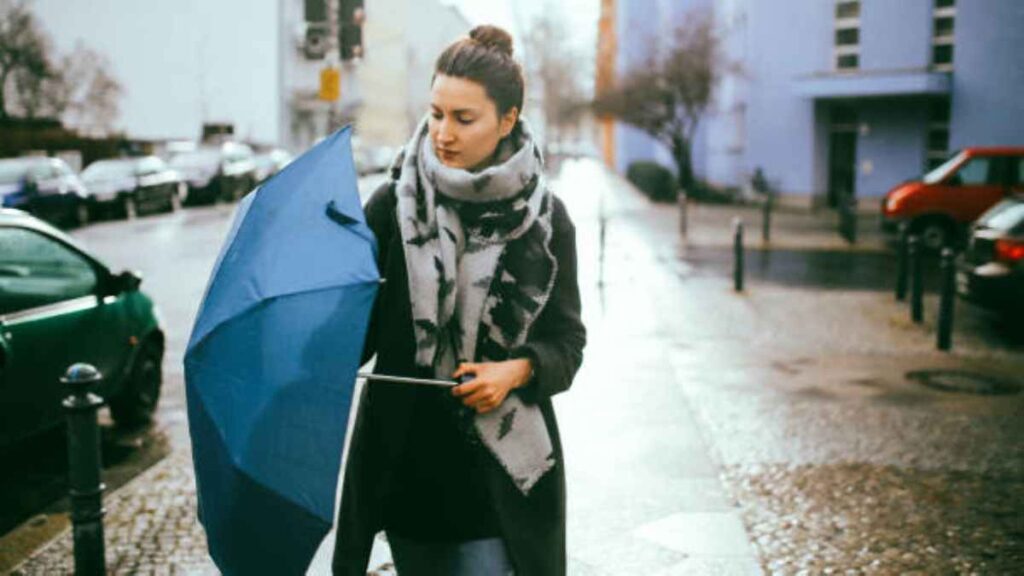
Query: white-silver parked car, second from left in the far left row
(132,186)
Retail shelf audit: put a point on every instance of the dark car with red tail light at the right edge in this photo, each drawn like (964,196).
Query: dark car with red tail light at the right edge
(991,272)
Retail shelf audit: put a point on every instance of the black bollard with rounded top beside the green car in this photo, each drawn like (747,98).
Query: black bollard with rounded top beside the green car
(83,470)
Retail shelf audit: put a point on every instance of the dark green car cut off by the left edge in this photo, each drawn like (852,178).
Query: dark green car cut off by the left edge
(60,306)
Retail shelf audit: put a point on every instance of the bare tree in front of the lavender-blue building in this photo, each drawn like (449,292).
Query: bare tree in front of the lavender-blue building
(668,97)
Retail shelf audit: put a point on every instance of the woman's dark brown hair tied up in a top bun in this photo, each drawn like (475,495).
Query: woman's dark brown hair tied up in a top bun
(486,58)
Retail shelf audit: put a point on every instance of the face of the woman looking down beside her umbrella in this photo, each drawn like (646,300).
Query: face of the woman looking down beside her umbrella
(464,126)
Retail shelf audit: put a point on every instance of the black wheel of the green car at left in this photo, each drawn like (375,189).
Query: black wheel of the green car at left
(138,400)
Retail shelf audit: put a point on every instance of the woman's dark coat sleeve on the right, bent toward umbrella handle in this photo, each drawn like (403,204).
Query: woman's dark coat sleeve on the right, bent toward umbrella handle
(557,341)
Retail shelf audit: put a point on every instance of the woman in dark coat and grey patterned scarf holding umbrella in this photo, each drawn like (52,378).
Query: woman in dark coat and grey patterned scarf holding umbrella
(480,261)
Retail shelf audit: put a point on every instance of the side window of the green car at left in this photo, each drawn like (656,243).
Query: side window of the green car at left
(36,271)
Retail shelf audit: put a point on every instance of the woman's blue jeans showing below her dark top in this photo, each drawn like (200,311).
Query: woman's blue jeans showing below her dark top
(475,558)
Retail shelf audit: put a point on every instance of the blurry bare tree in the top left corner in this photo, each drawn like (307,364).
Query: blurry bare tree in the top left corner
(24,54)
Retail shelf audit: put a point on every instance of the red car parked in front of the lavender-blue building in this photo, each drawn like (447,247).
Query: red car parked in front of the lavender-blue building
(940,208)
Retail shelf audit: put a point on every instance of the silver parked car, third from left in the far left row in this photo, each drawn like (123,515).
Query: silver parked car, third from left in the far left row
(225,173)
